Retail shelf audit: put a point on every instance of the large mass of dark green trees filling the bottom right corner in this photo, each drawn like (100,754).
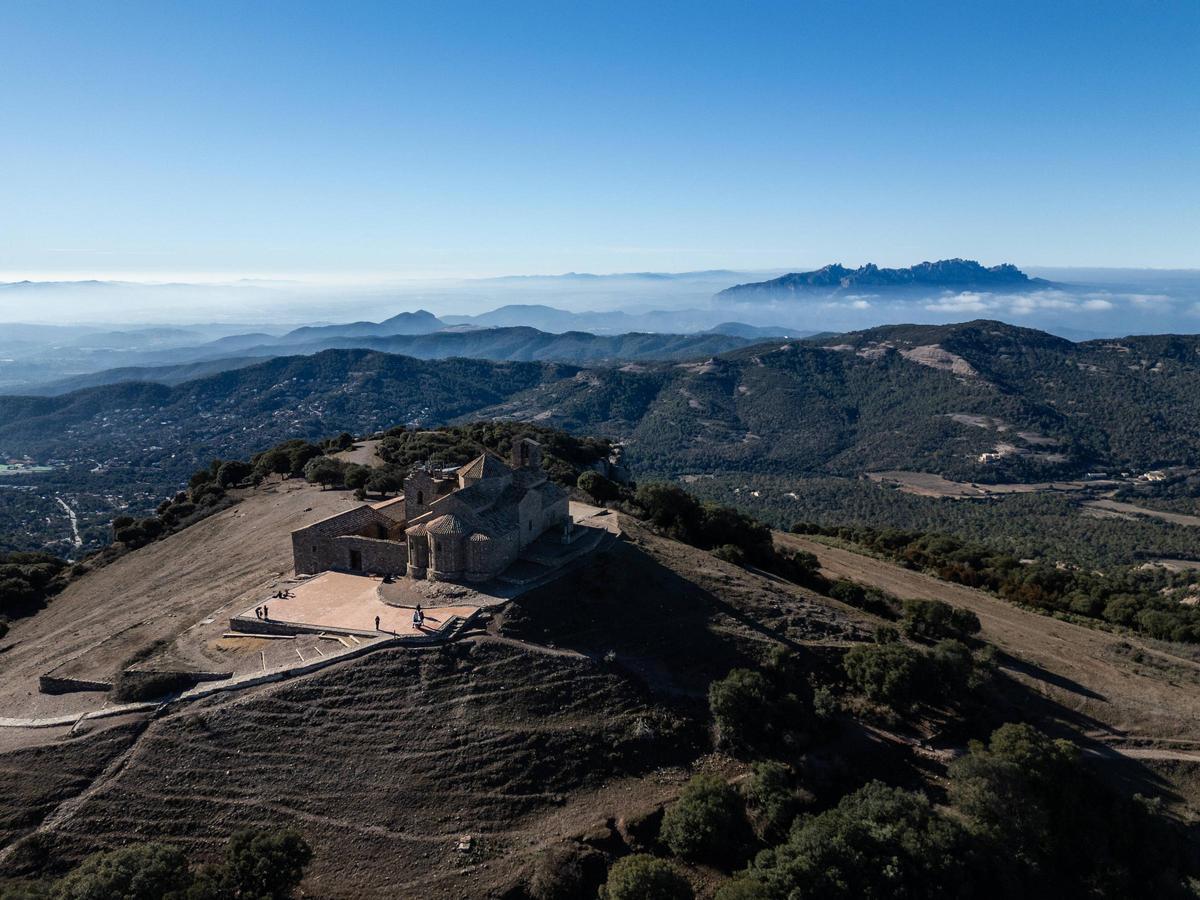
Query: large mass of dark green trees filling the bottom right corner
(1024,820)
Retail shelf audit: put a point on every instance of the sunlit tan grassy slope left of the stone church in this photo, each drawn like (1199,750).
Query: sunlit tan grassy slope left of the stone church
(154,593)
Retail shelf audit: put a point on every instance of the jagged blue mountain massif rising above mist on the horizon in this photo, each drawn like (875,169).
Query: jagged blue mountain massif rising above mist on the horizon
(945,274)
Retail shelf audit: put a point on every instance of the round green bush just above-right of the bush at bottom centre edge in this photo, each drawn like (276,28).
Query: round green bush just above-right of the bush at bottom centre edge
(706,823)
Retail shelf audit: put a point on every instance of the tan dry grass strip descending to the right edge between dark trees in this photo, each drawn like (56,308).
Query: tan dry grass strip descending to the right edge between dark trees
(1082,669)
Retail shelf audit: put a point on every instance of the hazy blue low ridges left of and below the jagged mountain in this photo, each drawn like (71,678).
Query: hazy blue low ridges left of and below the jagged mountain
(50,361)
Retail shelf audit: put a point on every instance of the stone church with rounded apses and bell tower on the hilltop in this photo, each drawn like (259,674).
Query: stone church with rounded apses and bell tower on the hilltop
(470,525)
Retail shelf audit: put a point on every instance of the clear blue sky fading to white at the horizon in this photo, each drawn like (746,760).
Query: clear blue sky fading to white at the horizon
(362,141)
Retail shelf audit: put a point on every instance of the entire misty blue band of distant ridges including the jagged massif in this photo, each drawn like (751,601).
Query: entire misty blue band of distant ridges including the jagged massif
(37,359)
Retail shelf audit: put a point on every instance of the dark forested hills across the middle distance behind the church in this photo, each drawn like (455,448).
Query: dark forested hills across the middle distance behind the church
(927,398)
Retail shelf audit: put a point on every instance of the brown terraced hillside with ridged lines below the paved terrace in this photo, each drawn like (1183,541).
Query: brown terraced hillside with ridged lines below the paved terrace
(386,764)
